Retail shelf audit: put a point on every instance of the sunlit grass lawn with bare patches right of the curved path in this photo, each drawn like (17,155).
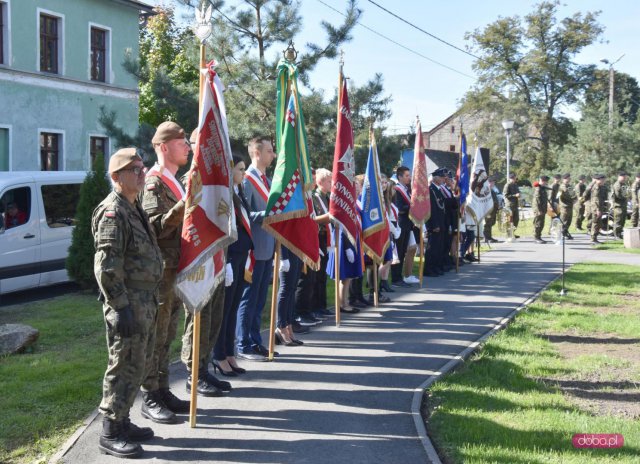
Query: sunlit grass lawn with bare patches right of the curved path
(566,365)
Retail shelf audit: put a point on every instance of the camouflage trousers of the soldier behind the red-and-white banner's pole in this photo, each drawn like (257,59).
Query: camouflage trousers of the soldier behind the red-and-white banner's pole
(210,322)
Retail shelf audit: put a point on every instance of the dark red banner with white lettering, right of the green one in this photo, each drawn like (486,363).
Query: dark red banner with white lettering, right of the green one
(342,202)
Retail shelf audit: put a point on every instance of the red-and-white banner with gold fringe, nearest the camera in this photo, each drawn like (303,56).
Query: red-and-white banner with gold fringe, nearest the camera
(209,218)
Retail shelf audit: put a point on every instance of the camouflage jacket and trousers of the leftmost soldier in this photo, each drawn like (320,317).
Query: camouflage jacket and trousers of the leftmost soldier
(128,268)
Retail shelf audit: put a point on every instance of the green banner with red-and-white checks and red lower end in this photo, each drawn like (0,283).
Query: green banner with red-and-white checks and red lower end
(289,212)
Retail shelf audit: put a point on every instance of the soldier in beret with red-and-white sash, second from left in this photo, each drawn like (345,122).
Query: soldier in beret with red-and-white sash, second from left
(162,201)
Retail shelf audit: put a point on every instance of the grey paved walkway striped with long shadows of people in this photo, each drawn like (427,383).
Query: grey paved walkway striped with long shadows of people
(346,395)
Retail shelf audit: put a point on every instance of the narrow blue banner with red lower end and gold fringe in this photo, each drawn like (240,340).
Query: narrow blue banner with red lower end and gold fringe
(375,228)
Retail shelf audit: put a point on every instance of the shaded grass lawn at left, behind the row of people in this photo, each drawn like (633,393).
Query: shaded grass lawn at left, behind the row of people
(49,391)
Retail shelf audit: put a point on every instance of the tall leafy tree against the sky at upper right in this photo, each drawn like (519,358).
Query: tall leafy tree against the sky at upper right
(527,72)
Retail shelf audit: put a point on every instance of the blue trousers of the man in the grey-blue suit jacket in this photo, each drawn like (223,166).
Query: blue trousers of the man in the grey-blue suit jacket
(253,299)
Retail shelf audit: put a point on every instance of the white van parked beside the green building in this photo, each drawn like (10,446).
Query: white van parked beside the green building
(37,211)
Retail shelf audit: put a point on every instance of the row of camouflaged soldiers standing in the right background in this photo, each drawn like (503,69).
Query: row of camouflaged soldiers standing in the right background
(589,201)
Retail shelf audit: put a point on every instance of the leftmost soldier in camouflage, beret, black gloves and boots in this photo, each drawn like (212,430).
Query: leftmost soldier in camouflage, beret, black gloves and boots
(128,269)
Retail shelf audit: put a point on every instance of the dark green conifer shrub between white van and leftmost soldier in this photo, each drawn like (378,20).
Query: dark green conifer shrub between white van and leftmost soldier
(94,189)
